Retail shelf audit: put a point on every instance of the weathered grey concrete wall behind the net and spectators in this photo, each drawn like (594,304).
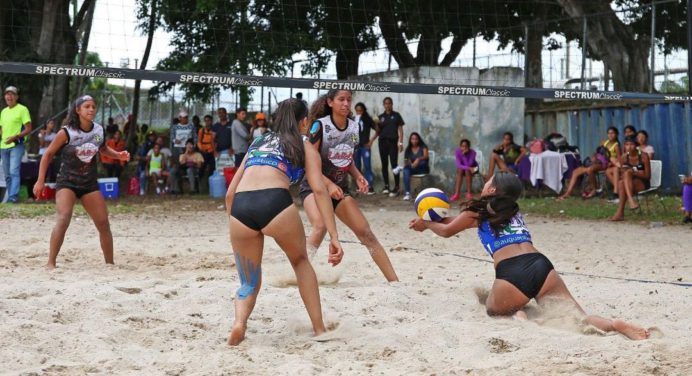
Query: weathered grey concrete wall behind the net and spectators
(443,121)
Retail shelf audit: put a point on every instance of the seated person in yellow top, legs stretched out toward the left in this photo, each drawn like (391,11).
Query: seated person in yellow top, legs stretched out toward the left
(600,161)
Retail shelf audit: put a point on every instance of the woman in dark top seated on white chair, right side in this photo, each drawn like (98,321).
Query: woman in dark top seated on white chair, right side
(635,173)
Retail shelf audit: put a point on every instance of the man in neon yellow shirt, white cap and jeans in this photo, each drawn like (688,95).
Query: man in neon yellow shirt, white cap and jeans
(15,125)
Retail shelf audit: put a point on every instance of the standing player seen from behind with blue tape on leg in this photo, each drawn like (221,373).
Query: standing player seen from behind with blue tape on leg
(260,204)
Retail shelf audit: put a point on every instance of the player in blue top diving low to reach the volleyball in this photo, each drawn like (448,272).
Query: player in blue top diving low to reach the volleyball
(521,272)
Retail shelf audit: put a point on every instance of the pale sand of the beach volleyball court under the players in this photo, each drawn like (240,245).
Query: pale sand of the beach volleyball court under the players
(166,307)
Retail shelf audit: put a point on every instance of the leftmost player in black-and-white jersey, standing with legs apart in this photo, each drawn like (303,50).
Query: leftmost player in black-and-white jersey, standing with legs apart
(78,143)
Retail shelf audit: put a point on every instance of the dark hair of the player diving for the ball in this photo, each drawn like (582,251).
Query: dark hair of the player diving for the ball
(500,208)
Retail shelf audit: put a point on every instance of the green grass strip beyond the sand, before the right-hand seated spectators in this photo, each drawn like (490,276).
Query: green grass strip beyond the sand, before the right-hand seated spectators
(660,209)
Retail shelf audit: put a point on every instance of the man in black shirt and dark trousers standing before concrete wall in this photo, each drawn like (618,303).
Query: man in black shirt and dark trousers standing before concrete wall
(391,133)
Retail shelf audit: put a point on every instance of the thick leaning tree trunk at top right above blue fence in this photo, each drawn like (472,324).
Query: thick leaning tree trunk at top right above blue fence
(615,43)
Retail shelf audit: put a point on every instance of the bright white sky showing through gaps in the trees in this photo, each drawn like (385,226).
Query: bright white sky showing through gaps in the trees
(118,42)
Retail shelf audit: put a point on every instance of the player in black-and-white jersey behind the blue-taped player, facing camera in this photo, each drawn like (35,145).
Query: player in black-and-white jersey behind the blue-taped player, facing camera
(335,137)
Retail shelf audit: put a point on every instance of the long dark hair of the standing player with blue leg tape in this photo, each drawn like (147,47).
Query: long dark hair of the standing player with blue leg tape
(286,118)
